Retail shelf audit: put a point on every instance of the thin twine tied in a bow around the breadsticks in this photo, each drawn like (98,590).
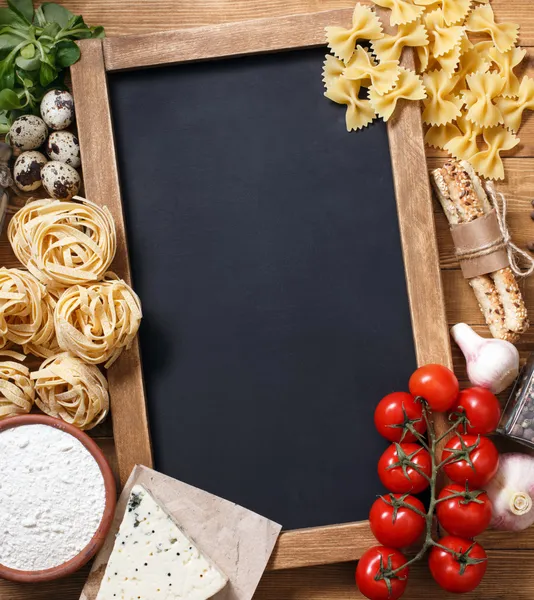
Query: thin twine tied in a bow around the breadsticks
(498,202)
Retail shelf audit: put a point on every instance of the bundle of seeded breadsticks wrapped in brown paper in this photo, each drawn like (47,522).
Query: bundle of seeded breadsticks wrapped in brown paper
(482,248)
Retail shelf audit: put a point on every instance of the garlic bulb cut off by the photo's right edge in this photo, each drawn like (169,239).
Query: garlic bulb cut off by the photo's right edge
(511,492)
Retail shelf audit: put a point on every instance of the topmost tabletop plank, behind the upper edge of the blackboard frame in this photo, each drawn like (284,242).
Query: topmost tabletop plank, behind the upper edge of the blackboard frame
(139,16)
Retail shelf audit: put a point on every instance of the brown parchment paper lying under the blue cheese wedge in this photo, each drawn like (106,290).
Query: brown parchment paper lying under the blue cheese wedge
(237,540)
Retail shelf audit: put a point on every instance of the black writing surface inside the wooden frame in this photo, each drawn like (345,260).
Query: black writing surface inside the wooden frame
(264,244)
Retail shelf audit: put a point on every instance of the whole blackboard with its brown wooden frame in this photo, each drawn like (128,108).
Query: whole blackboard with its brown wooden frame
(264,242)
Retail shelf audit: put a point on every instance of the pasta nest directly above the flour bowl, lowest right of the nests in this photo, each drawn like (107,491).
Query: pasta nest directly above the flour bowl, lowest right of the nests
(69,389)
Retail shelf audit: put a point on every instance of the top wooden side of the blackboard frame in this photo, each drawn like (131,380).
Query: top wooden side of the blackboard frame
(219,41)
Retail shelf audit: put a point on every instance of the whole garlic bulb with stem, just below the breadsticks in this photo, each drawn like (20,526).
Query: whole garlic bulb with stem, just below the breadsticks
(491,363)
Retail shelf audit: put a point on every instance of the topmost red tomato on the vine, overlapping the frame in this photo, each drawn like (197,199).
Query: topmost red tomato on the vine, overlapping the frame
(437,385)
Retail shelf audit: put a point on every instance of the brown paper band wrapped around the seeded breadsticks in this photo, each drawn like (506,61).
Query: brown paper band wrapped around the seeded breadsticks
(476,234)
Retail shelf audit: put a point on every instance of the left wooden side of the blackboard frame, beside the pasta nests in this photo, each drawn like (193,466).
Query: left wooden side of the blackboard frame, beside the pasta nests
(129,414)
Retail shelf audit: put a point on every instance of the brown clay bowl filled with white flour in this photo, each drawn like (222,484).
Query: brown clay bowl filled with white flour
(57,498)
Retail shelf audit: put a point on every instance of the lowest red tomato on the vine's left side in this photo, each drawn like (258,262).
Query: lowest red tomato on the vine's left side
(376,562)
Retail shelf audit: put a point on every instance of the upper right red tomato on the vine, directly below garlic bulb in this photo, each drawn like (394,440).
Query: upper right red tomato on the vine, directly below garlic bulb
(481,408)
